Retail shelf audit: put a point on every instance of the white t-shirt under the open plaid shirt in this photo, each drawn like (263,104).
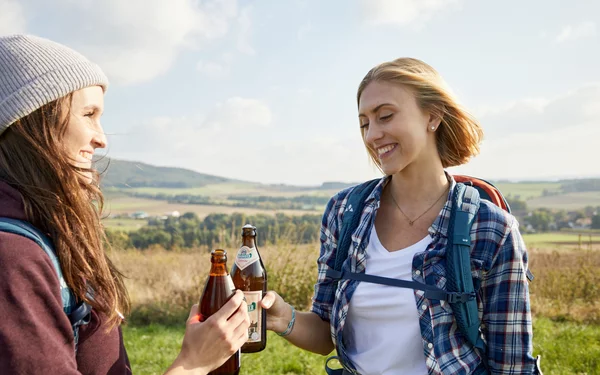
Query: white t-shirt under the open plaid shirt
(382,333)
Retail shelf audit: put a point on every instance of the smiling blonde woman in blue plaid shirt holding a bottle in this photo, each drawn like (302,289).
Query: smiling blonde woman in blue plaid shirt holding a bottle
(413,129)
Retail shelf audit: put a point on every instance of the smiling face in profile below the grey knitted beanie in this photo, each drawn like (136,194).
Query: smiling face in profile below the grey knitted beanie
(84,134)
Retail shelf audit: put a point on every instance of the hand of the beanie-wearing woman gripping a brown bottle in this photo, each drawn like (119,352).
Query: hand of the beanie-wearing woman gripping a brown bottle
(208,344)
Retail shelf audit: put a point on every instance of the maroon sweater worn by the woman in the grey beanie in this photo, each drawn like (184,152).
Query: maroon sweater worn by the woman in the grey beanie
(35,334)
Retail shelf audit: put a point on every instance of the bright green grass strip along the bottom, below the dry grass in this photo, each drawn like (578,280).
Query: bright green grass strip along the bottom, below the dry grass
(152,348)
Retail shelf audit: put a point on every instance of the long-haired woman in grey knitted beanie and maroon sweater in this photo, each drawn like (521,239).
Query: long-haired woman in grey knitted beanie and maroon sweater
(62,299)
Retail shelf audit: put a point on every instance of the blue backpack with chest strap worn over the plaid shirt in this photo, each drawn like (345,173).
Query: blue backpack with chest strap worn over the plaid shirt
(460,291)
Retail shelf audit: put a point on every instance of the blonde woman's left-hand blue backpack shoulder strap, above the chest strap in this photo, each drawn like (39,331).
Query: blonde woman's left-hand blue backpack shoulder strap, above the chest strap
(351,218)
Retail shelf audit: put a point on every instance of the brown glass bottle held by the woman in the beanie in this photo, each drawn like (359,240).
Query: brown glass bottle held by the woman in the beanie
(217,291)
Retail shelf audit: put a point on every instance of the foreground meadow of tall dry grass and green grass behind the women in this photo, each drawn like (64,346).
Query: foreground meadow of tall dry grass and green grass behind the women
(565,299)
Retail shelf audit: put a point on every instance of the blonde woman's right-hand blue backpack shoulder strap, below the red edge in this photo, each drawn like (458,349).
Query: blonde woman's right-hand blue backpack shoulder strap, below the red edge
(465,205)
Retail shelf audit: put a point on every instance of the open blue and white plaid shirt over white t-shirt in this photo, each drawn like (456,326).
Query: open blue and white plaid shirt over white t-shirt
(498,266)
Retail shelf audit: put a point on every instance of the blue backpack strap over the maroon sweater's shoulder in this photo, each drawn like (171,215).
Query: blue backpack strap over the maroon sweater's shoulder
(78,313)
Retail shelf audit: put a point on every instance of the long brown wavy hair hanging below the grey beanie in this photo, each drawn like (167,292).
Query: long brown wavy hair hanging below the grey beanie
(61,203)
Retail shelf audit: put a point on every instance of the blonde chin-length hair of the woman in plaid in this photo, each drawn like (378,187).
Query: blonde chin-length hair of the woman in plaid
(459,133)
